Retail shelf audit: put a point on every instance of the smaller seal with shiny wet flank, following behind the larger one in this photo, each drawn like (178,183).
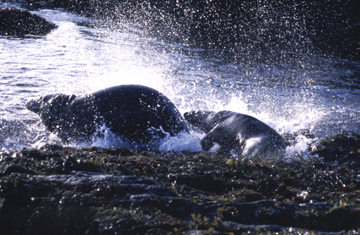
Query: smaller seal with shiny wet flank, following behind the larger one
(246,135)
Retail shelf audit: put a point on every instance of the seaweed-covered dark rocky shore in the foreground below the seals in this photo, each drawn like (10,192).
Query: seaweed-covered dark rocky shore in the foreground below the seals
(58,190)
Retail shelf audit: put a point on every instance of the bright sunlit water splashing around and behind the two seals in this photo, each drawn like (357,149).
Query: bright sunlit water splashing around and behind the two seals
(293,93)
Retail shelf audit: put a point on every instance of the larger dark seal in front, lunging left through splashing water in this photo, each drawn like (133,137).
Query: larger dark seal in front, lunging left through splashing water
(135,112)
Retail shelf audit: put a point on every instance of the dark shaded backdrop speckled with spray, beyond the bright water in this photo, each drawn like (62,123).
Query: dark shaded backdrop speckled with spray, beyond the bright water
(249,26)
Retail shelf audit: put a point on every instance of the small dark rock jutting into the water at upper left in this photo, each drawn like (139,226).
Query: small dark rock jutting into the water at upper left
(15,22)
